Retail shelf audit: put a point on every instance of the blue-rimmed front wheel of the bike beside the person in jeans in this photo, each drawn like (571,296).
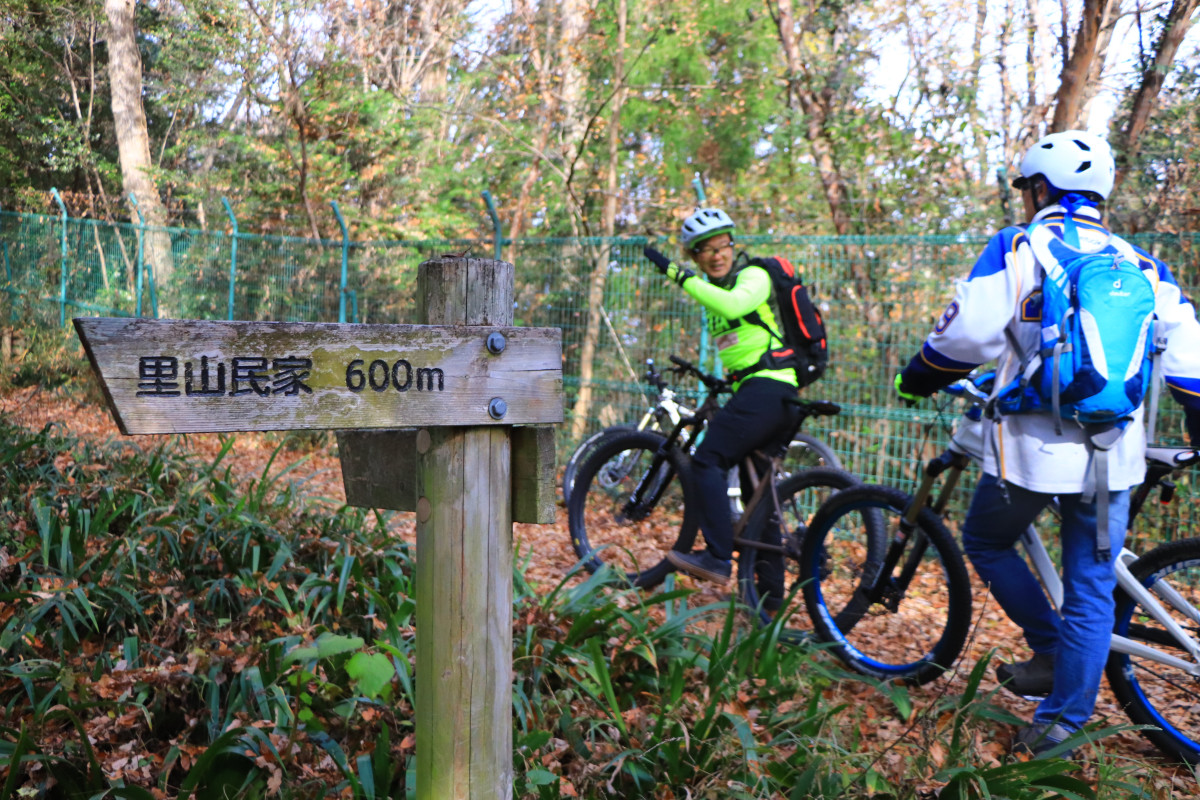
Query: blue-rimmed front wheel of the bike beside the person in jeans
(905,617)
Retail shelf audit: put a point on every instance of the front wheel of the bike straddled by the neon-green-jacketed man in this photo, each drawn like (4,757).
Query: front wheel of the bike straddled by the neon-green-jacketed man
(631,506)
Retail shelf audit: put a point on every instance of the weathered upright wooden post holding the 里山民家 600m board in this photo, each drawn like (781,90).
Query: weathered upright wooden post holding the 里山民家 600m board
(465,566)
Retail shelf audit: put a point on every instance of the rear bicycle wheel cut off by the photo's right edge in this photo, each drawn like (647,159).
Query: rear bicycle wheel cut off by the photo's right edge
(1161,684)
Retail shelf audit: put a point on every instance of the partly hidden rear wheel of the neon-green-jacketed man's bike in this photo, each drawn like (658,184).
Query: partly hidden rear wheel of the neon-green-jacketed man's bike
(767,579)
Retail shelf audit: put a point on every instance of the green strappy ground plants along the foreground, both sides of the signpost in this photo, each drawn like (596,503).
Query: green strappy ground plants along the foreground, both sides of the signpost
(170,629)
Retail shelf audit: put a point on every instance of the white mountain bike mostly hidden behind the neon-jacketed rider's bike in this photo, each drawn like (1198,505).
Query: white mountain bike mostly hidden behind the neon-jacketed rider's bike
(806,452)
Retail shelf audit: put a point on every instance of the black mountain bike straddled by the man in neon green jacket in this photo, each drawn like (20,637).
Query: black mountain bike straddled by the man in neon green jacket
(632,502)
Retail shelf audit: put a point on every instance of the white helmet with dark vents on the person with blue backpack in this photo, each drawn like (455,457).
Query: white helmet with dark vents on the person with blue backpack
(1071,161)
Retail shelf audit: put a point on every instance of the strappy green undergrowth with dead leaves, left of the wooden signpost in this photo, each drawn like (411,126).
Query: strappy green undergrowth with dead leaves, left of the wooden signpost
(112,546)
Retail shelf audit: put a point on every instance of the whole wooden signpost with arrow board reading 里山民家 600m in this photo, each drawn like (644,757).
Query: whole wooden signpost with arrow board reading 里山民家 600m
(449,419)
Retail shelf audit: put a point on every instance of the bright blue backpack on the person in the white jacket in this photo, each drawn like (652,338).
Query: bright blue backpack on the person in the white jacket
(1094,365)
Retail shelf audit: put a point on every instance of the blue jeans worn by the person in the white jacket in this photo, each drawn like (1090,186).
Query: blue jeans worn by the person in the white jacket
(1081,637)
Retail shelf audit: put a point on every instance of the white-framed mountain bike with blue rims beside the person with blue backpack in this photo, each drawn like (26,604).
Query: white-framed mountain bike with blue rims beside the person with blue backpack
(909,616)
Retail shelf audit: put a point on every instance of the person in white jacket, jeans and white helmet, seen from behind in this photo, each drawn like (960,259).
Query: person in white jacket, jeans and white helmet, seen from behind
(997,316)
